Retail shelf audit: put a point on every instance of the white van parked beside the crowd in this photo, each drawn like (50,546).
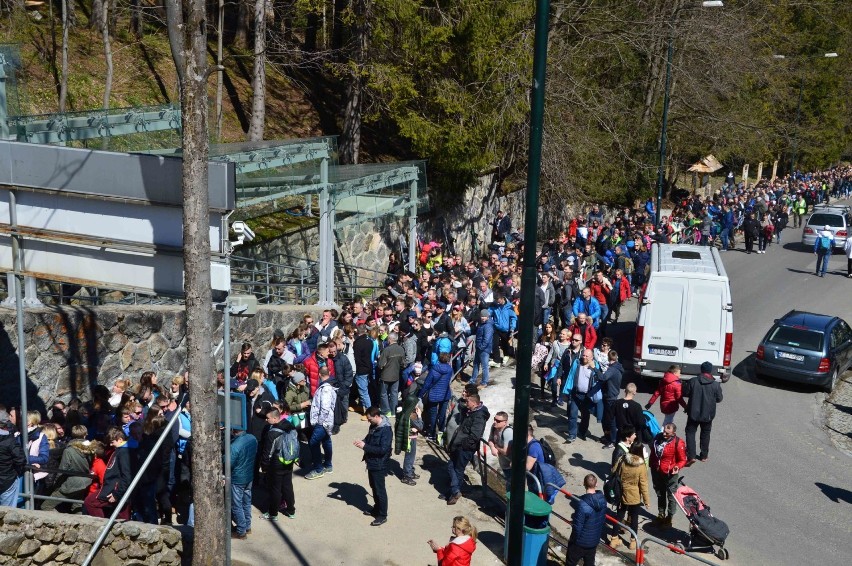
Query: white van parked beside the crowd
(685,313)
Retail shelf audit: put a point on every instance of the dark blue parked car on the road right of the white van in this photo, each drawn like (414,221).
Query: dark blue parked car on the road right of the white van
(806,348)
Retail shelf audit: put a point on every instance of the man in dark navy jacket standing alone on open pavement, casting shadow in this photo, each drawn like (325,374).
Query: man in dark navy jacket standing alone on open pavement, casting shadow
(377,448)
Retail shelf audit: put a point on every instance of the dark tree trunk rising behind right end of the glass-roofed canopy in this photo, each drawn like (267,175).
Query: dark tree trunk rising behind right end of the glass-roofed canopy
(350,144)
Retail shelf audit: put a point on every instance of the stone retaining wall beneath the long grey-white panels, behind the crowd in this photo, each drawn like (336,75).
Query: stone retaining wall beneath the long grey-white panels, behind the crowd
(69,350)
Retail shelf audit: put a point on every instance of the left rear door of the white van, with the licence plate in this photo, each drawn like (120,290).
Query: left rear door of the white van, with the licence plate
(662,336)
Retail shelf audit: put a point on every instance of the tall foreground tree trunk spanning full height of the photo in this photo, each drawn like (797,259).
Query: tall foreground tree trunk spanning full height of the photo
(189,17)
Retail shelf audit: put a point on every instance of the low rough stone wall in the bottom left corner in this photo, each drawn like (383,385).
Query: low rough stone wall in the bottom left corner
(46,538)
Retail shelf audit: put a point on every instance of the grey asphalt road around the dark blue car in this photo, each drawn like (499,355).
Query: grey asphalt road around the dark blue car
(774,475)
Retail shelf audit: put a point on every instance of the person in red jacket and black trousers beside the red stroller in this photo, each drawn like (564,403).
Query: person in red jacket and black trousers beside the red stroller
(668,457)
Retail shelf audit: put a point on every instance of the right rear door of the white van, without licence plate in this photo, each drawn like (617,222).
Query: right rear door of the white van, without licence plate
(704,323)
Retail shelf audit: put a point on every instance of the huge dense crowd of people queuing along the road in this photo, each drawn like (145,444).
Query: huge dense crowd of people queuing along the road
(392,361)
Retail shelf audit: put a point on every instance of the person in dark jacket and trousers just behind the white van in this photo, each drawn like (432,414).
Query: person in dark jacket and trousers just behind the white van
(704,394)
